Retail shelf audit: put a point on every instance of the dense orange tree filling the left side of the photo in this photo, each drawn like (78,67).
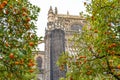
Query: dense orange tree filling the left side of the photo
(17,39)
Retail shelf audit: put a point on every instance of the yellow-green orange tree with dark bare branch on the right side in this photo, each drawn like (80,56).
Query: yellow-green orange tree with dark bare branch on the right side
(97,48)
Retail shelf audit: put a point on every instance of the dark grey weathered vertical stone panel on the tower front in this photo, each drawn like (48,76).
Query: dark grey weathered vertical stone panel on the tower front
(57,47)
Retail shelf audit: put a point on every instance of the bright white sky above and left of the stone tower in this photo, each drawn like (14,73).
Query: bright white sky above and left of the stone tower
(74,7)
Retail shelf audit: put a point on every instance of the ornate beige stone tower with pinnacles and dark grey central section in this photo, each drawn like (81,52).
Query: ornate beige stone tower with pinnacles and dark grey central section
(60,28)
